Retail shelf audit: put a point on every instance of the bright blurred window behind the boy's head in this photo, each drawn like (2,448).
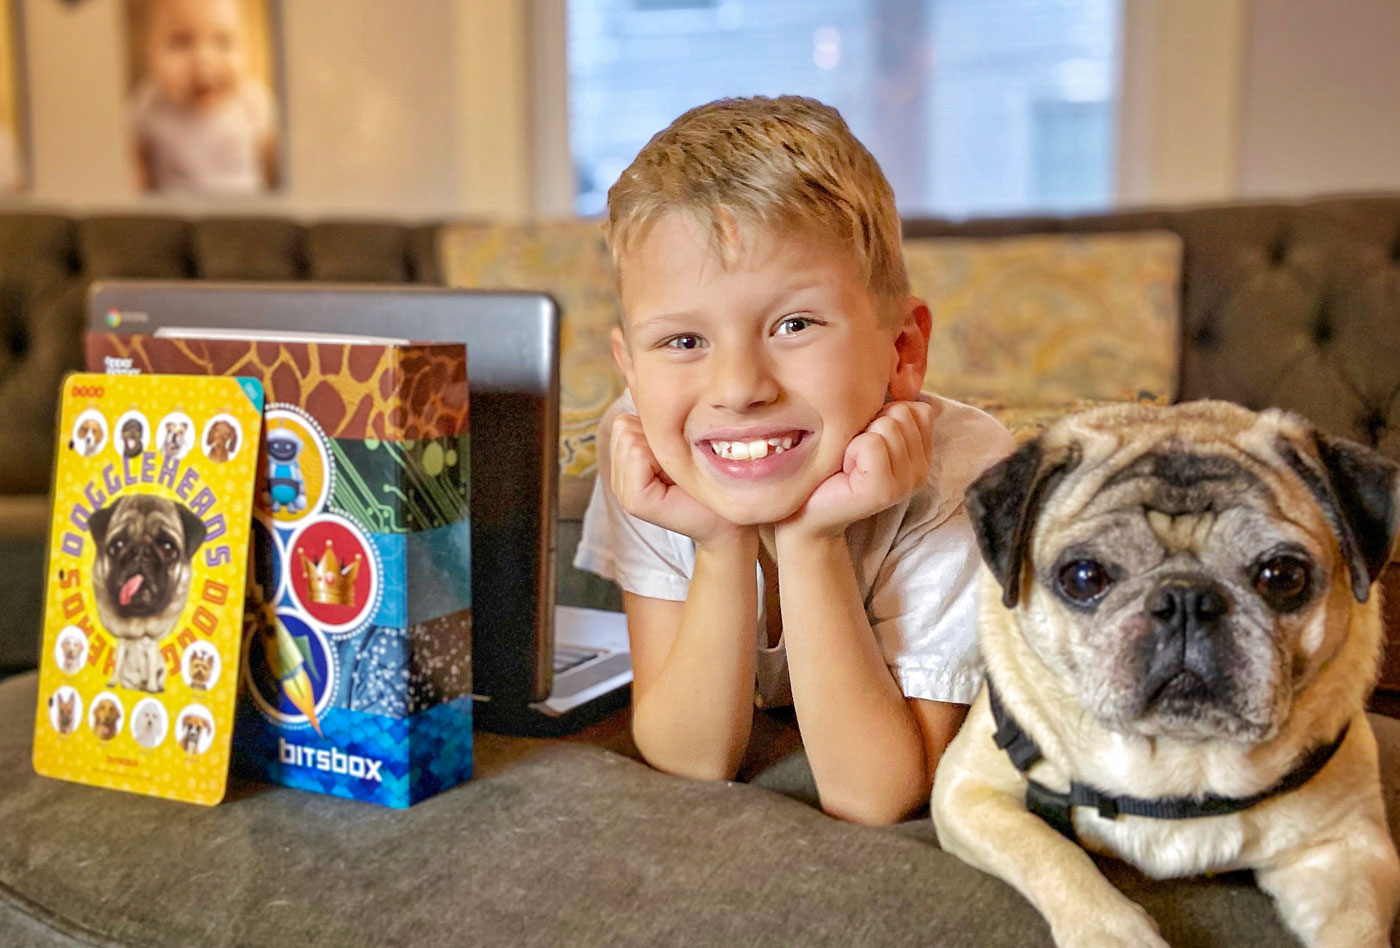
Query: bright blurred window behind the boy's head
(972,107)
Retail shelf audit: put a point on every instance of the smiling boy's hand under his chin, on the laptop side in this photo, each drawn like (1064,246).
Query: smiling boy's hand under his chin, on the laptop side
(646,492)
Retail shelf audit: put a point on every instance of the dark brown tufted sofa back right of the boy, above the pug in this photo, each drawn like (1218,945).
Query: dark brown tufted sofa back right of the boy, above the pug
(1289,306)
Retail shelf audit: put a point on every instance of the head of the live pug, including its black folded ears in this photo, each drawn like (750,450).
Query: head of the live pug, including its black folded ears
(1184,572)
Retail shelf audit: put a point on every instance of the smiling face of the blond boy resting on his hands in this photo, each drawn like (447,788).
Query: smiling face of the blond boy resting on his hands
(752,376)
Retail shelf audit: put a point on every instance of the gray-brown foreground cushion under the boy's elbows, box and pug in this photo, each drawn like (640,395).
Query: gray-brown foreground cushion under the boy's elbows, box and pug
(551,844)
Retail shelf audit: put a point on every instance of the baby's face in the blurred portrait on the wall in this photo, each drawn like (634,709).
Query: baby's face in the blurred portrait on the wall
(195,51)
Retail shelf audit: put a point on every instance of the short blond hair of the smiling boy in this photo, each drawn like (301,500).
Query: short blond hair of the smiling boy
(786,163)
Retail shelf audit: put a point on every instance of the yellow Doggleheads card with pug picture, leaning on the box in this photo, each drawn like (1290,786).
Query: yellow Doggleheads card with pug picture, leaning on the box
(148,558)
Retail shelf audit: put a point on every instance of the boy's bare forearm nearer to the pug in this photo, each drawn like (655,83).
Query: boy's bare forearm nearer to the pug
(863,740)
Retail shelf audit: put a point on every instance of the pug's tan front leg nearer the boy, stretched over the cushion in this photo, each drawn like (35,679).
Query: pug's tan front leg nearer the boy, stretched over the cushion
(981,816)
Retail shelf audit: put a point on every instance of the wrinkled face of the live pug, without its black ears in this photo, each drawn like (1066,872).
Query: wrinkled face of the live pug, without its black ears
(1188,596)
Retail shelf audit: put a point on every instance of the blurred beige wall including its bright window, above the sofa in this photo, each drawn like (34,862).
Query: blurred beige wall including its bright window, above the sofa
(426,110)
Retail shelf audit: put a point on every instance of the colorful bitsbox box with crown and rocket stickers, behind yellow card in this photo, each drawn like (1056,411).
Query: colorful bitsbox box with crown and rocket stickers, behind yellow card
(358,627)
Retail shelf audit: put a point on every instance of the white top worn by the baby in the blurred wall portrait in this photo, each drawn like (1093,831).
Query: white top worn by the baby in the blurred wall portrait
(215,152)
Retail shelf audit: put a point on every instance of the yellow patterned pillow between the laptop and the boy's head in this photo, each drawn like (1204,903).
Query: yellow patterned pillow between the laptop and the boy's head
(570,261)
